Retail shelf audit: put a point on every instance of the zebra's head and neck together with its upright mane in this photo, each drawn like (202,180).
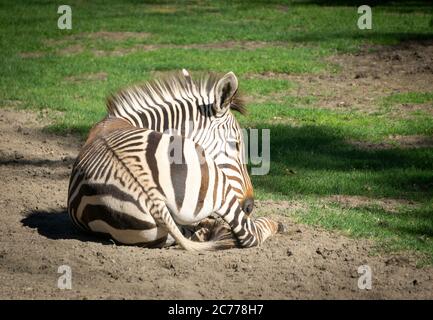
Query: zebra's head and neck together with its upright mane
(187,108)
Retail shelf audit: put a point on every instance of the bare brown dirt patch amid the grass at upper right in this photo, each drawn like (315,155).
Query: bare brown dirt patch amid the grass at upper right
(366,77)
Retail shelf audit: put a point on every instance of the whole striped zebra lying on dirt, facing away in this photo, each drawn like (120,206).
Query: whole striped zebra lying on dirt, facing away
(125,183)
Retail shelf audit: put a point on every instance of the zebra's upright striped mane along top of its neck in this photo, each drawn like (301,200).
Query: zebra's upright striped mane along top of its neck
(168,88)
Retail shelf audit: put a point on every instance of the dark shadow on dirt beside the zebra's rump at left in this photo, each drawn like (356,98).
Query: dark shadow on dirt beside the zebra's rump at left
(55,224)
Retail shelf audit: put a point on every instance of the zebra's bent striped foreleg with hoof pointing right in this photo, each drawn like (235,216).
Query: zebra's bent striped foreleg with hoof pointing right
(249,232)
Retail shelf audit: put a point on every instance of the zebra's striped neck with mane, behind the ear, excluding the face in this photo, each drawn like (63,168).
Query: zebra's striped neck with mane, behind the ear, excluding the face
(174,108)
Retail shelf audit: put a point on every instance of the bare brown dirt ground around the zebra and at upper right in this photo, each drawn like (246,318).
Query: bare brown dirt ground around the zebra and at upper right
(36,236)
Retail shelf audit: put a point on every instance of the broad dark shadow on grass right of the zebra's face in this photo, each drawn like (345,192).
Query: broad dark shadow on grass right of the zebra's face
(317,160)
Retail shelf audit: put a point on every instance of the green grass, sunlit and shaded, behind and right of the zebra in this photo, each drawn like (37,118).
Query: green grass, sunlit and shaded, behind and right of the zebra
(311,157)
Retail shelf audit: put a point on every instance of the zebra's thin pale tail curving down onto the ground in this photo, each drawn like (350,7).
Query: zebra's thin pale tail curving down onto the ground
(163,218)
